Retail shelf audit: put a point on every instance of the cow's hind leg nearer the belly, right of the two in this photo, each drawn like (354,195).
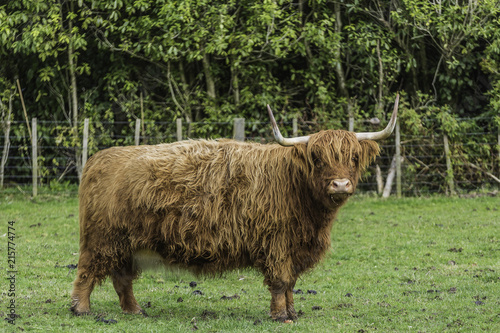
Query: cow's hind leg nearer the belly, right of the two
(122,281)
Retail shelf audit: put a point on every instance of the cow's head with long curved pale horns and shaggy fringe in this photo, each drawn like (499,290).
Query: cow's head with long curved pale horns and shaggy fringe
(336,158)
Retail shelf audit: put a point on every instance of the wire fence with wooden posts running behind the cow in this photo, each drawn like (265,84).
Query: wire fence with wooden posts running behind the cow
(473,158)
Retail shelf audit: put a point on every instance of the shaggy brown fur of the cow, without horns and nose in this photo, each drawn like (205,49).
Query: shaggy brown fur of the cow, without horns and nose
(213,206)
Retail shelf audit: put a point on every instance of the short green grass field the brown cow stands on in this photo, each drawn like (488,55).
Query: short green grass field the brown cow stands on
(409,265)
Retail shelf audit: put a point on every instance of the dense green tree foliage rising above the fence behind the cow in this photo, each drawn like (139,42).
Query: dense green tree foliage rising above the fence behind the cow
(209,62)
